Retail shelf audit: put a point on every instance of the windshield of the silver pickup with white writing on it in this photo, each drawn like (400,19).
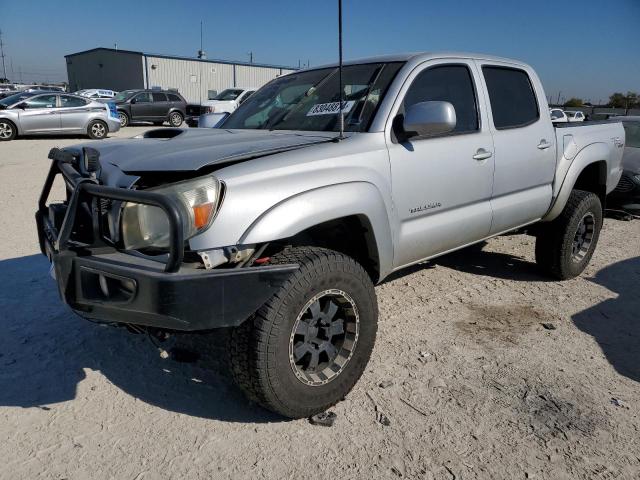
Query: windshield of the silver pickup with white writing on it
(310,100)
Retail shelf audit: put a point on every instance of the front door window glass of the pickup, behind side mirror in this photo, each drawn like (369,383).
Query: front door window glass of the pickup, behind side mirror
(447,83)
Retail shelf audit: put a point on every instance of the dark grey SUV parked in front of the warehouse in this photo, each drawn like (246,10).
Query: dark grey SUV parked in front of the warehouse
(157,106)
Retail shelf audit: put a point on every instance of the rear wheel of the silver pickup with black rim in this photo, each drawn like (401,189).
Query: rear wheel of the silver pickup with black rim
(564,246)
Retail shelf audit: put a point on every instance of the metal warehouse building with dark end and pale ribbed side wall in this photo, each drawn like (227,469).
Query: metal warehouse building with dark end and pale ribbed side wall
(194,78)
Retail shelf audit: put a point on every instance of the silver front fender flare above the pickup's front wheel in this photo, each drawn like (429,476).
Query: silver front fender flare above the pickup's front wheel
(313,207)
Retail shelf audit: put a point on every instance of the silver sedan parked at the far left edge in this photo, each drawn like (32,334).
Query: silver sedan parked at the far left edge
(46,113)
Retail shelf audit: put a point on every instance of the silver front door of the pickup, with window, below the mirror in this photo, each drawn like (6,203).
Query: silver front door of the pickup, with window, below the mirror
(442,185)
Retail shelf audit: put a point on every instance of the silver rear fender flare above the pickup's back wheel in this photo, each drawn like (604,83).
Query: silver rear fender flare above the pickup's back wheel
(595,152)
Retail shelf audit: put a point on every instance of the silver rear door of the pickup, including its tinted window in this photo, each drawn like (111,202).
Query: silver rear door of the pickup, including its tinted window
(524,141)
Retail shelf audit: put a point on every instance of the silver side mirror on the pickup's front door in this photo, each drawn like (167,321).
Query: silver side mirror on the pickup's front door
(428,119)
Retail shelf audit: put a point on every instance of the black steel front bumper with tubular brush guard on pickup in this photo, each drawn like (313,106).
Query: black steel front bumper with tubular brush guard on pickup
(101,283)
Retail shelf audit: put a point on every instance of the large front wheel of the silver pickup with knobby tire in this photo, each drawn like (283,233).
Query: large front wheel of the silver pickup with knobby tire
(305,349)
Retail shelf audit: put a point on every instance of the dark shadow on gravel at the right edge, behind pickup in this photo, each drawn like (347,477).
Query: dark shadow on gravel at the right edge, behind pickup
(615,323)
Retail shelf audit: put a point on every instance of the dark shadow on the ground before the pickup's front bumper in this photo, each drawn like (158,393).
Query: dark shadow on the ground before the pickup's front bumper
(46,351)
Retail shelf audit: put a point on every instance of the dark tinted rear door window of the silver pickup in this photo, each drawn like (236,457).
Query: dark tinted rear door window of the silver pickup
(513,101)
